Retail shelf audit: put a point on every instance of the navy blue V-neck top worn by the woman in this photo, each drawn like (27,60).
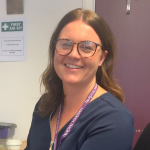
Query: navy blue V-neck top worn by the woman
(105,124)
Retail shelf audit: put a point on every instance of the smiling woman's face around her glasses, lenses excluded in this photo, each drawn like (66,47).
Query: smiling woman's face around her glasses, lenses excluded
(65,66)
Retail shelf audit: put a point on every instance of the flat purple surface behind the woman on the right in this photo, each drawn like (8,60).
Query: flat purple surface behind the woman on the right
(132,69)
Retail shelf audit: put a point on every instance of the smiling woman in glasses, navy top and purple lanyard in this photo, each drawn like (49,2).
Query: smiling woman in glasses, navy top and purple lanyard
(82,108)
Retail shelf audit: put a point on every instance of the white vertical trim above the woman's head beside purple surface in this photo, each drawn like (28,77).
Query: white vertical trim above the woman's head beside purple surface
(88,4)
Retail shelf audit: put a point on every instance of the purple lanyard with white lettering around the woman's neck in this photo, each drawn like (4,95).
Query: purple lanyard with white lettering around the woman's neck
(73,121)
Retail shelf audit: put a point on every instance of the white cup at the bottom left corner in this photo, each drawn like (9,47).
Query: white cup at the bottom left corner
(13,144)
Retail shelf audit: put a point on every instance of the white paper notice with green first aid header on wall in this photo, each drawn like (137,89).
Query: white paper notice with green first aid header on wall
(13,40)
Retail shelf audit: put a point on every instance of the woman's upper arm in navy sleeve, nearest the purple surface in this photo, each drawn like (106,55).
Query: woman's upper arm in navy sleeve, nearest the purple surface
(113,130)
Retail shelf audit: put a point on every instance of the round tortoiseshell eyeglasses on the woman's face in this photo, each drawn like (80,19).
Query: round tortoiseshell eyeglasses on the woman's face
(84,48)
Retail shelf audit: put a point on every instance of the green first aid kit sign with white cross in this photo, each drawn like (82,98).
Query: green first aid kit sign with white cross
(12,26)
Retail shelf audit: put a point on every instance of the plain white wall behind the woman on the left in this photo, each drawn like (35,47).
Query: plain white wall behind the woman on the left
(19,81)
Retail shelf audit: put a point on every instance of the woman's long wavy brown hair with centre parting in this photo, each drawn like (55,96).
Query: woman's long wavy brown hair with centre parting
(54,95)
